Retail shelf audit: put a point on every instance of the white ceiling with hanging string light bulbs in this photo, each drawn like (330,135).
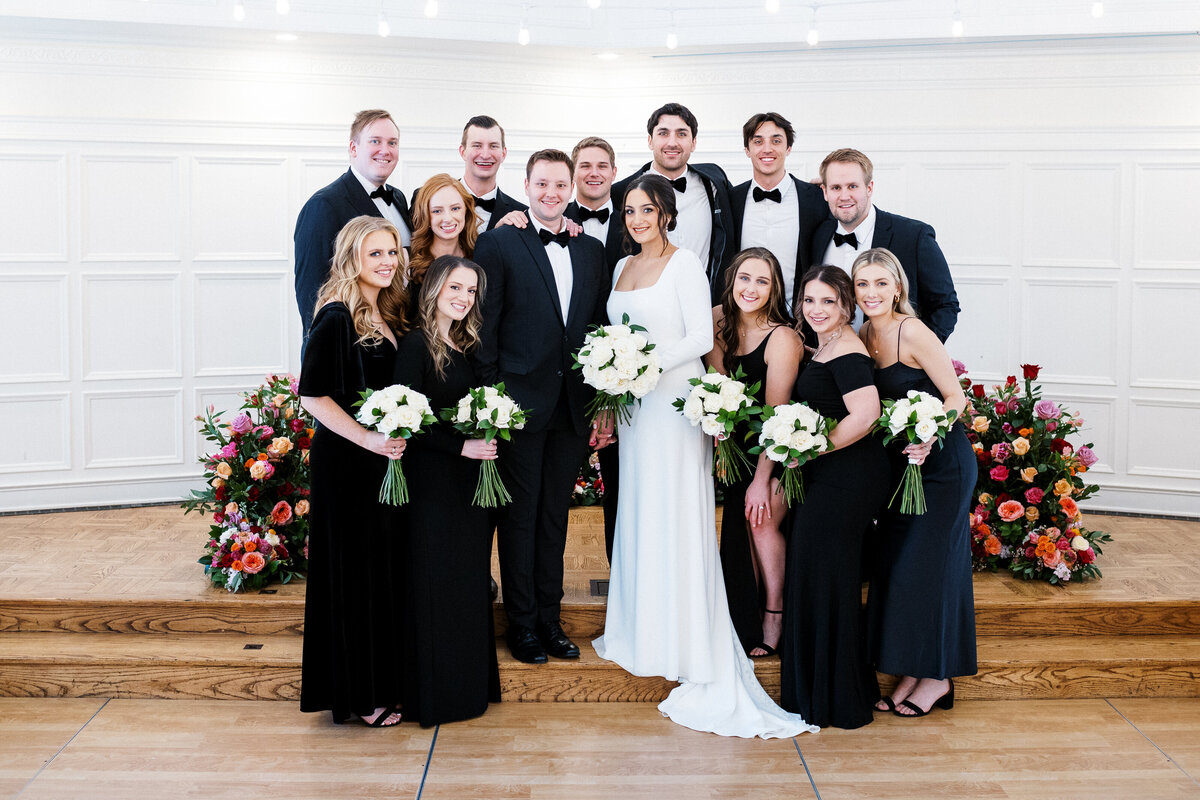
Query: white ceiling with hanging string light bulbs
(628,26)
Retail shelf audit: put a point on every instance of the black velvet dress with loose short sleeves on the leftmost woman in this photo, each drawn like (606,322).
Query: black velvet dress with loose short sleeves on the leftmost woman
(355,610)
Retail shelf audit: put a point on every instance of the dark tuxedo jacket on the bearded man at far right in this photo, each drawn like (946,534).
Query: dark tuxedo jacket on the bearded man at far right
(931,286)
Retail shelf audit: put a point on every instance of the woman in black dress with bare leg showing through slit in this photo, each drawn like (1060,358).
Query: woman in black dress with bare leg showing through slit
(753,332)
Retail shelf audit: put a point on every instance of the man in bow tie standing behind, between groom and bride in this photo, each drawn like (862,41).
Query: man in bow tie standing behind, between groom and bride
(596,166)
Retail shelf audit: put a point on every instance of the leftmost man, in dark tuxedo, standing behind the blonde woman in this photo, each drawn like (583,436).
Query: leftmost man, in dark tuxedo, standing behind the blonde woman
(363,190)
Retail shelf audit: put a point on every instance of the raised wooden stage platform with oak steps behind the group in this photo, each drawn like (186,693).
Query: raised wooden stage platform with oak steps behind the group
(112,604)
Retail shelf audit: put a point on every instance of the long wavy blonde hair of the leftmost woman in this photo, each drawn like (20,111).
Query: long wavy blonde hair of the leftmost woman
(343,285)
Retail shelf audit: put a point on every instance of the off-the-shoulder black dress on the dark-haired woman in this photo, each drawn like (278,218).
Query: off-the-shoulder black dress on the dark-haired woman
(825,673)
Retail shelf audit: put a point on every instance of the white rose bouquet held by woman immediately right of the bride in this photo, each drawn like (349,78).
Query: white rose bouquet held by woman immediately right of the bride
(718,404)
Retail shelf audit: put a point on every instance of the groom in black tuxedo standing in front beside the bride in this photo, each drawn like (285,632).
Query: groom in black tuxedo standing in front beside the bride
(544,290)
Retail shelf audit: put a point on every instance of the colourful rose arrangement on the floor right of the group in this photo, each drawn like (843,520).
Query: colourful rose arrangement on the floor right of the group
(1027,515)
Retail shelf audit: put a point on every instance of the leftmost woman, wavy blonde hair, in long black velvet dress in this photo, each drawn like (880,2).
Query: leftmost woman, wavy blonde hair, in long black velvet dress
(353,654)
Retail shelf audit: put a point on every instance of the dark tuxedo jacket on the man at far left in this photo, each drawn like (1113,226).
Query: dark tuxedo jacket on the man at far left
(319,225)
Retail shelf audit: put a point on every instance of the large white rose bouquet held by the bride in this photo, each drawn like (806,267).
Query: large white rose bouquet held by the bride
(620,364)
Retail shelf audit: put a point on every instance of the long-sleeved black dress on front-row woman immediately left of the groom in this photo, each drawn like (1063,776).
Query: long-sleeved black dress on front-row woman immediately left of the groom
(452,645)
